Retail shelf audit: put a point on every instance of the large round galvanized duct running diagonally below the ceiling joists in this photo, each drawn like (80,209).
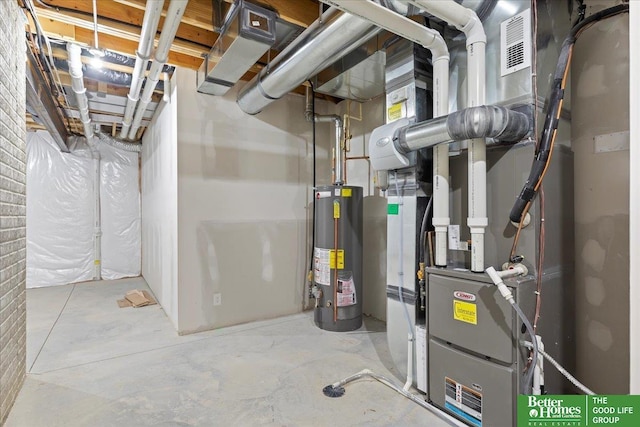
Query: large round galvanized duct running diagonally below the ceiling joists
(328,39)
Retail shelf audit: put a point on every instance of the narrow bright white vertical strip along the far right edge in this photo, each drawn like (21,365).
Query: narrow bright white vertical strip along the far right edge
(634,196)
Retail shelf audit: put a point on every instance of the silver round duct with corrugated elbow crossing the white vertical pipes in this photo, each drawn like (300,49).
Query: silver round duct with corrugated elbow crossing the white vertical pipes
(485,121)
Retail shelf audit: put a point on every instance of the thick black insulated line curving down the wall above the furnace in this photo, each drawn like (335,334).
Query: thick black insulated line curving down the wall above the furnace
(545,146)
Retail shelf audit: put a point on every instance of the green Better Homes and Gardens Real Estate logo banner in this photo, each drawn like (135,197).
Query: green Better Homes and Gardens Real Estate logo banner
(578,411)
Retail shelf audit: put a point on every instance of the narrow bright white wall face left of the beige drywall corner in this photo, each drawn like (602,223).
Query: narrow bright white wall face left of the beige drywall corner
(160,207)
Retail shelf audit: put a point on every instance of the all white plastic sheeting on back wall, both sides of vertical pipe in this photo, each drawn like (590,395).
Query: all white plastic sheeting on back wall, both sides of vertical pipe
(60,217)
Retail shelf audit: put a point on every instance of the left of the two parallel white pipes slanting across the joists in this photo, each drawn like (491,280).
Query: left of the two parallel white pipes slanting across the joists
(150,21)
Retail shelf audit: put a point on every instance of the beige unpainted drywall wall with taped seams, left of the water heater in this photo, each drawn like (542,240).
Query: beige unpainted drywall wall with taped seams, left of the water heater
(243,192)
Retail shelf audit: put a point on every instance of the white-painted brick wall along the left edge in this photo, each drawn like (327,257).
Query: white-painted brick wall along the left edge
(12,205)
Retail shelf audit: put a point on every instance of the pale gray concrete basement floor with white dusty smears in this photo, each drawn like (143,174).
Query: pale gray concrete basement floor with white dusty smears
(91,363)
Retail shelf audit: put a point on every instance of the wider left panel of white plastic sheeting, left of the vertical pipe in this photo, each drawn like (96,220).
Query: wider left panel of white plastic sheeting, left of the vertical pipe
(59,213)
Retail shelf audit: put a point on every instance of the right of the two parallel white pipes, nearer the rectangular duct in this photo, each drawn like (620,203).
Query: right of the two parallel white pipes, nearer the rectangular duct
(169,29)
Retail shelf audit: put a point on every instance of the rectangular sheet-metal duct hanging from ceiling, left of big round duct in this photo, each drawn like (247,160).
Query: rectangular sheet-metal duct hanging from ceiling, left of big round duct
(248,33)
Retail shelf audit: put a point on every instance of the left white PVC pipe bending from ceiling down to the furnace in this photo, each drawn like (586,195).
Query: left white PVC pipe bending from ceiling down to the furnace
(433,41)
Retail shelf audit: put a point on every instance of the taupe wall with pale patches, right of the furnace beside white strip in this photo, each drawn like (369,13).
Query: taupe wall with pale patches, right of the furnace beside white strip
(600,91)
